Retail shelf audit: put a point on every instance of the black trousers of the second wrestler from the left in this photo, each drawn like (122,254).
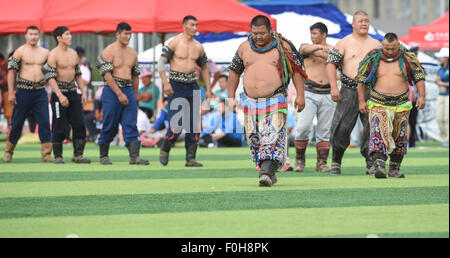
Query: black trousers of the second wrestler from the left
(73,115)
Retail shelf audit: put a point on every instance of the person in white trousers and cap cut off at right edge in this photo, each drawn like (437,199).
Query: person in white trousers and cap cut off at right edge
(442,105)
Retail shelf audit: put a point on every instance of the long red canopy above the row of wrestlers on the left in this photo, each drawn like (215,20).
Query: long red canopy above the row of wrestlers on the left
(83,16)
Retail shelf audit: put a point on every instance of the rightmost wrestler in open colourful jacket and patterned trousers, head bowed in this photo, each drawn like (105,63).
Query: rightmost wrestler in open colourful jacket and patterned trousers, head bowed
(386,72)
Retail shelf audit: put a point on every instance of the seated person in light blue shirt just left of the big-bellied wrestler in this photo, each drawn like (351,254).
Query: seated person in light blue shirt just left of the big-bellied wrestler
(224,128)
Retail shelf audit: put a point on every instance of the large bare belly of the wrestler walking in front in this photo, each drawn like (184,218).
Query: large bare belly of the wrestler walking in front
(261,80)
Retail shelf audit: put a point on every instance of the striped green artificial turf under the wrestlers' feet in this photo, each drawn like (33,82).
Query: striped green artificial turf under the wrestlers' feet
(222,199)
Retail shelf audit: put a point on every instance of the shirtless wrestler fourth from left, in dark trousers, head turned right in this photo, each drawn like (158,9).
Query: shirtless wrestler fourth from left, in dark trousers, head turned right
(183,52)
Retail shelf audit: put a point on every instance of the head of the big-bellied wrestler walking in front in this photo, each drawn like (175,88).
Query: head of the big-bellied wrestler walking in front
(261,31)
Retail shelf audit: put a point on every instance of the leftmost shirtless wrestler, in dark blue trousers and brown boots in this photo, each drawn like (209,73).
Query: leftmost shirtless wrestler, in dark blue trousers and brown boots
(24,70)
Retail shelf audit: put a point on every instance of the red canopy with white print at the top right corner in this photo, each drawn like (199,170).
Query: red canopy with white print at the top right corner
(433,36)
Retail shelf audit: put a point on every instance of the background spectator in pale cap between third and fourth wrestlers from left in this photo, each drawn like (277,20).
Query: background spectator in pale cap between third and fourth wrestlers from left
(145,94)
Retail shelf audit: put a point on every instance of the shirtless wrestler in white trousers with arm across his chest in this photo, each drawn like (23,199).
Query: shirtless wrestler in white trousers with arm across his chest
(318,100)
